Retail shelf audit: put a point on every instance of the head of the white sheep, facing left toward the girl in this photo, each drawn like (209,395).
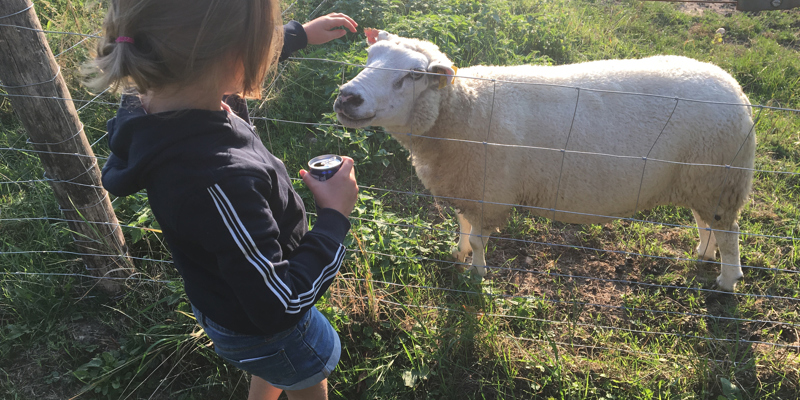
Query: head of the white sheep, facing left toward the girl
(401,78)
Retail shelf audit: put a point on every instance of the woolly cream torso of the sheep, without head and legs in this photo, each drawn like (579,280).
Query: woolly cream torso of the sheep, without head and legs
(632,126)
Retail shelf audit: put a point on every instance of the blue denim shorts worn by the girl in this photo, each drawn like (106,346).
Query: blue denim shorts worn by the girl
(294,359)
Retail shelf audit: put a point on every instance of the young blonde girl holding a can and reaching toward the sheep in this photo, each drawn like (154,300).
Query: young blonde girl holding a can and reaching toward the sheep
(236,228)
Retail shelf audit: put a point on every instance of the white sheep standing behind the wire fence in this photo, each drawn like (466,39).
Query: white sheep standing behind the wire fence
(581,143)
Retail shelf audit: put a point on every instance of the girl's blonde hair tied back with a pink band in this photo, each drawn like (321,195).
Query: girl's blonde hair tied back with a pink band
(176,42)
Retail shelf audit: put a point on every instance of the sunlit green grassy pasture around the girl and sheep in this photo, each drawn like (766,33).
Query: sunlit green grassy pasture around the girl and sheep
(613,311)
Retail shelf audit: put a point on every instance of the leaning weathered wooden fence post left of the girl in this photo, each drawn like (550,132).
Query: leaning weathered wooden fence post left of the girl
(41,100)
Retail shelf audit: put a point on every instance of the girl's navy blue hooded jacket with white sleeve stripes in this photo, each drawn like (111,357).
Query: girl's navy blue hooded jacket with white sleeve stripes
(236,229)
